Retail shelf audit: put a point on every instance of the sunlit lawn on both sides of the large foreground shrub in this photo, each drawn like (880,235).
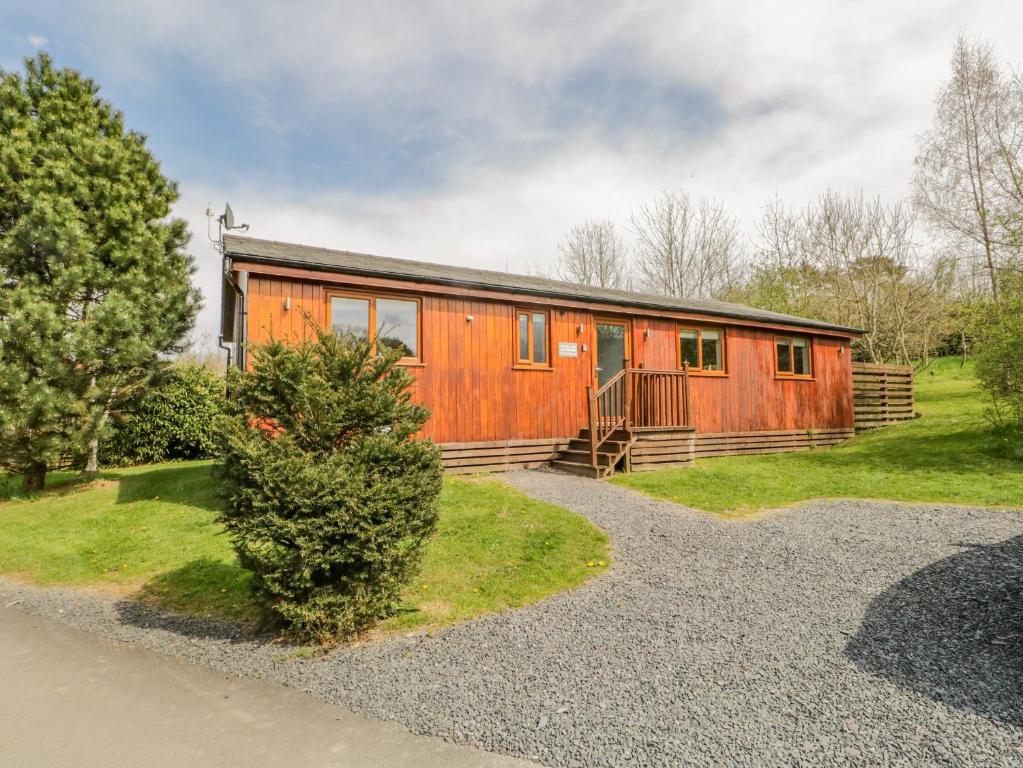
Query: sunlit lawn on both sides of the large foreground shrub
(151,533)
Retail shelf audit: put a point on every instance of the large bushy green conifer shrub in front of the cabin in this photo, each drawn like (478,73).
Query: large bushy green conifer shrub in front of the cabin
(330,496)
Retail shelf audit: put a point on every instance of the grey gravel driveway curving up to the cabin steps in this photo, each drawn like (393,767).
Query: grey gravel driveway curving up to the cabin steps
(835,634)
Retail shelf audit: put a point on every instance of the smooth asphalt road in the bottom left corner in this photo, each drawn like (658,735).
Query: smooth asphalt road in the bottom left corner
(68,698)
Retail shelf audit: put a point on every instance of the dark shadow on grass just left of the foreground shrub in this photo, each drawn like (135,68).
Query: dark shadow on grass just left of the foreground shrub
(205,599)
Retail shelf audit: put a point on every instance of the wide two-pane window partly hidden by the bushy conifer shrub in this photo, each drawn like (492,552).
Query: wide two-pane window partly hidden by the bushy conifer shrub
(395,323)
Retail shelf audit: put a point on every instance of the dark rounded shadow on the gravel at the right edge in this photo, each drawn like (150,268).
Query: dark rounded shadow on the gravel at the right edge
(954,631)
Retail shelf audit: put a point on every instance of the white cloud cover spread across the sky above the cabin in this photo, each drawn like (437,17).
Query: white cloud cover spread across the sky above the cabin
(814,97)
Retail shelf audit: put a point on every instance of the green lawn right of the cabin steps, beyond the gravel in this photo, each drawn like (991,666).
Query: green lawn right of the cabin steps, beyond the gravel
(945,457)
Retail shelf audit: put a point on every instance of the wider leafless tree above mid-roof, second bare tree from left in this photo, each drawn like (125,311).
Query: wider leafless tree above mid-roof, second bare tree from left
(687,249)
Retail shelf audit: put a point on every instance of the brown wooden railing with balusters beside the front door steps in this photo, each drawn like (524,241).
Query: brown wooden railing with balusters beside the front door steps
(638,398)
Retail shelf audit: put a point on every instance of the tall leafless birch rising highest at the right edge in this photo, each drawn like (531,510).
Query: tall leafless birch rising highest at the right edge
(969,173)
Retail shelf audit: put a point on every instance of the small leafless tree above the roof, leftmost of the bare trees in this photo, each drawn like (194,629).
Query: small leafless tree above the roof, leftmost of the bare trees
(594,254)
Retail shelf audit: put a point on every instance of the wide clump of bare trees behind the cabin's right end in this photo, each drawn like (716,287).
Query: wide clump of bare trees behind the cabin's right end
(855,262)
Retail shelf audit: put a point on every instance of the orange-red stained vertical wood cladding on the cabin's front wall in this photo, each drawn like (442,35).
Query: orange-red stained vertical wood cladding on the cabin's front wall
(469,381)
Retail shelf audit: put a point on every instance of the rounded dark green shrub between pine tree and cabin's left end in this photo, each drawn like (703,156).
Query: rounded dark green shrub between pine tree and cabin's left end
(173,420)
